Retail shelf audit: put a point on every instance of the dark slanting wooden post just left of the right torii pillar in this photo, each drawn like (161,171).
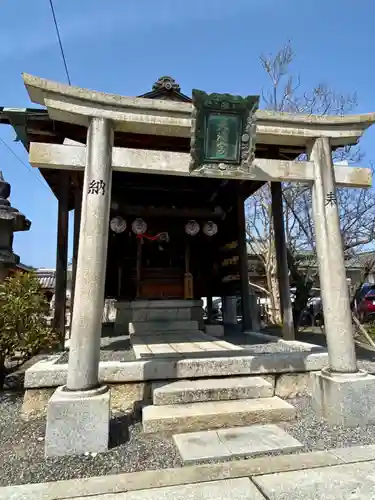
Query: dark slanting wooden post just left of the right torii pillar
(282,261)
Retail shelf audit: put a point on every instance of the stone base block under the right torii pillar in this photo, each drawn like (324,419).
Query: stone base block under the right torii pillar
(346,399)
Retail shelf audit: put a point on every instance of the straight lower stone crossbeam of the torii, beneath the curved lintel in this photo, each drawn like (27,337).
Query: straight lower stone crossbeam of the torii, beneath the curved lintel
(68,157)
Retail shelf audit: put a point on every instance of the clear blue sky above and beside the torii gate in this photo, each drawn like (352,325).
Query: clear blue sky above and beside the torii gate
(123,46)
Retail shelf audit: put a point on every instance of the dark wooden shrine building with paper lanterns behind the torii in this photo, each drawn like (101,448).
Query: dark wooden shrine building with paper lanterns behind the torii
(152,265)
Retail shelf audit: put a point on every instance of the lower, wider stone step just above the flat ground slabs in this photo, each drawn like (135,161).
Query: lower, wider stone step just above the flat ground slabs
(191,417)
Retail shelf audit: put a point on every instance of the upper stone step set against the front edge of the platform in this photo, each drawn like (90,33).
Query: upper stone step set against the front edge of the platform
(212,389)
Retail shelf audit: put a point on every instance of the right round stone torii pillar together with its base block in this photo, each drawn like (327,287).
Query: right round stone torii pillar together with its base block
(341,393)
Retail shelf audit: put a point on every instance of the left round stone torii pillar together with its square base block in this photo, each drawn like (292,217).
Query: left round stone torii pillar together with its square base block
(78,413)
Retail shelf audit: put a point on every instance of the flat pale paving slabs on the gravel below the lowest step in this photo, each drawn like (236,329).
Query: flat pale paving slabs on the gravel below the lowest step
(195,447)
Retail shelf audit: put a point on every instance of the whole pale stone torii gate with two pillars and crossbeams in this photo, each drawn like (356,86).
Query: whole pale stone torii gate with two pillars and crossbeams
(342,393)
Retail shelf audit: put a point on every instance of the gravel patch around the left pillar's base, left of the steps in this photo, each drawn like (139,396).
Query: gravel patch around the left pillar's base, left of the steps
(22,451)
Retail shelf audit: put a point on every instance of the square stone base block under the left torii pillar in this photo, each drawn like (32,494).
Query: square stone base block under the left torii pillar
(77,422)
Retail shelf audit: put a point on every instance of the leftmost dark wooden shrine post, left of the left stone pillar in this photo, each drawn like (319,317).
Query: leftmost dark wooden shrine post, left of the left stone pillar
(59,320)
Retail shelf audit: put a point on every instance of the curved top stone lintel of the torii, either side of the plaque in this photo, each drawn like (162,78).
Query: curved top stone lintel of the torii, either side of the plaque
(162,117)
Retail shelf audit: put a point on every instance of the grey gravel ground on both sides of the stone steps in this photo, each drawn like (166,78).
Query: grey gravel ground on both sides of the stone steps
(22,451)
